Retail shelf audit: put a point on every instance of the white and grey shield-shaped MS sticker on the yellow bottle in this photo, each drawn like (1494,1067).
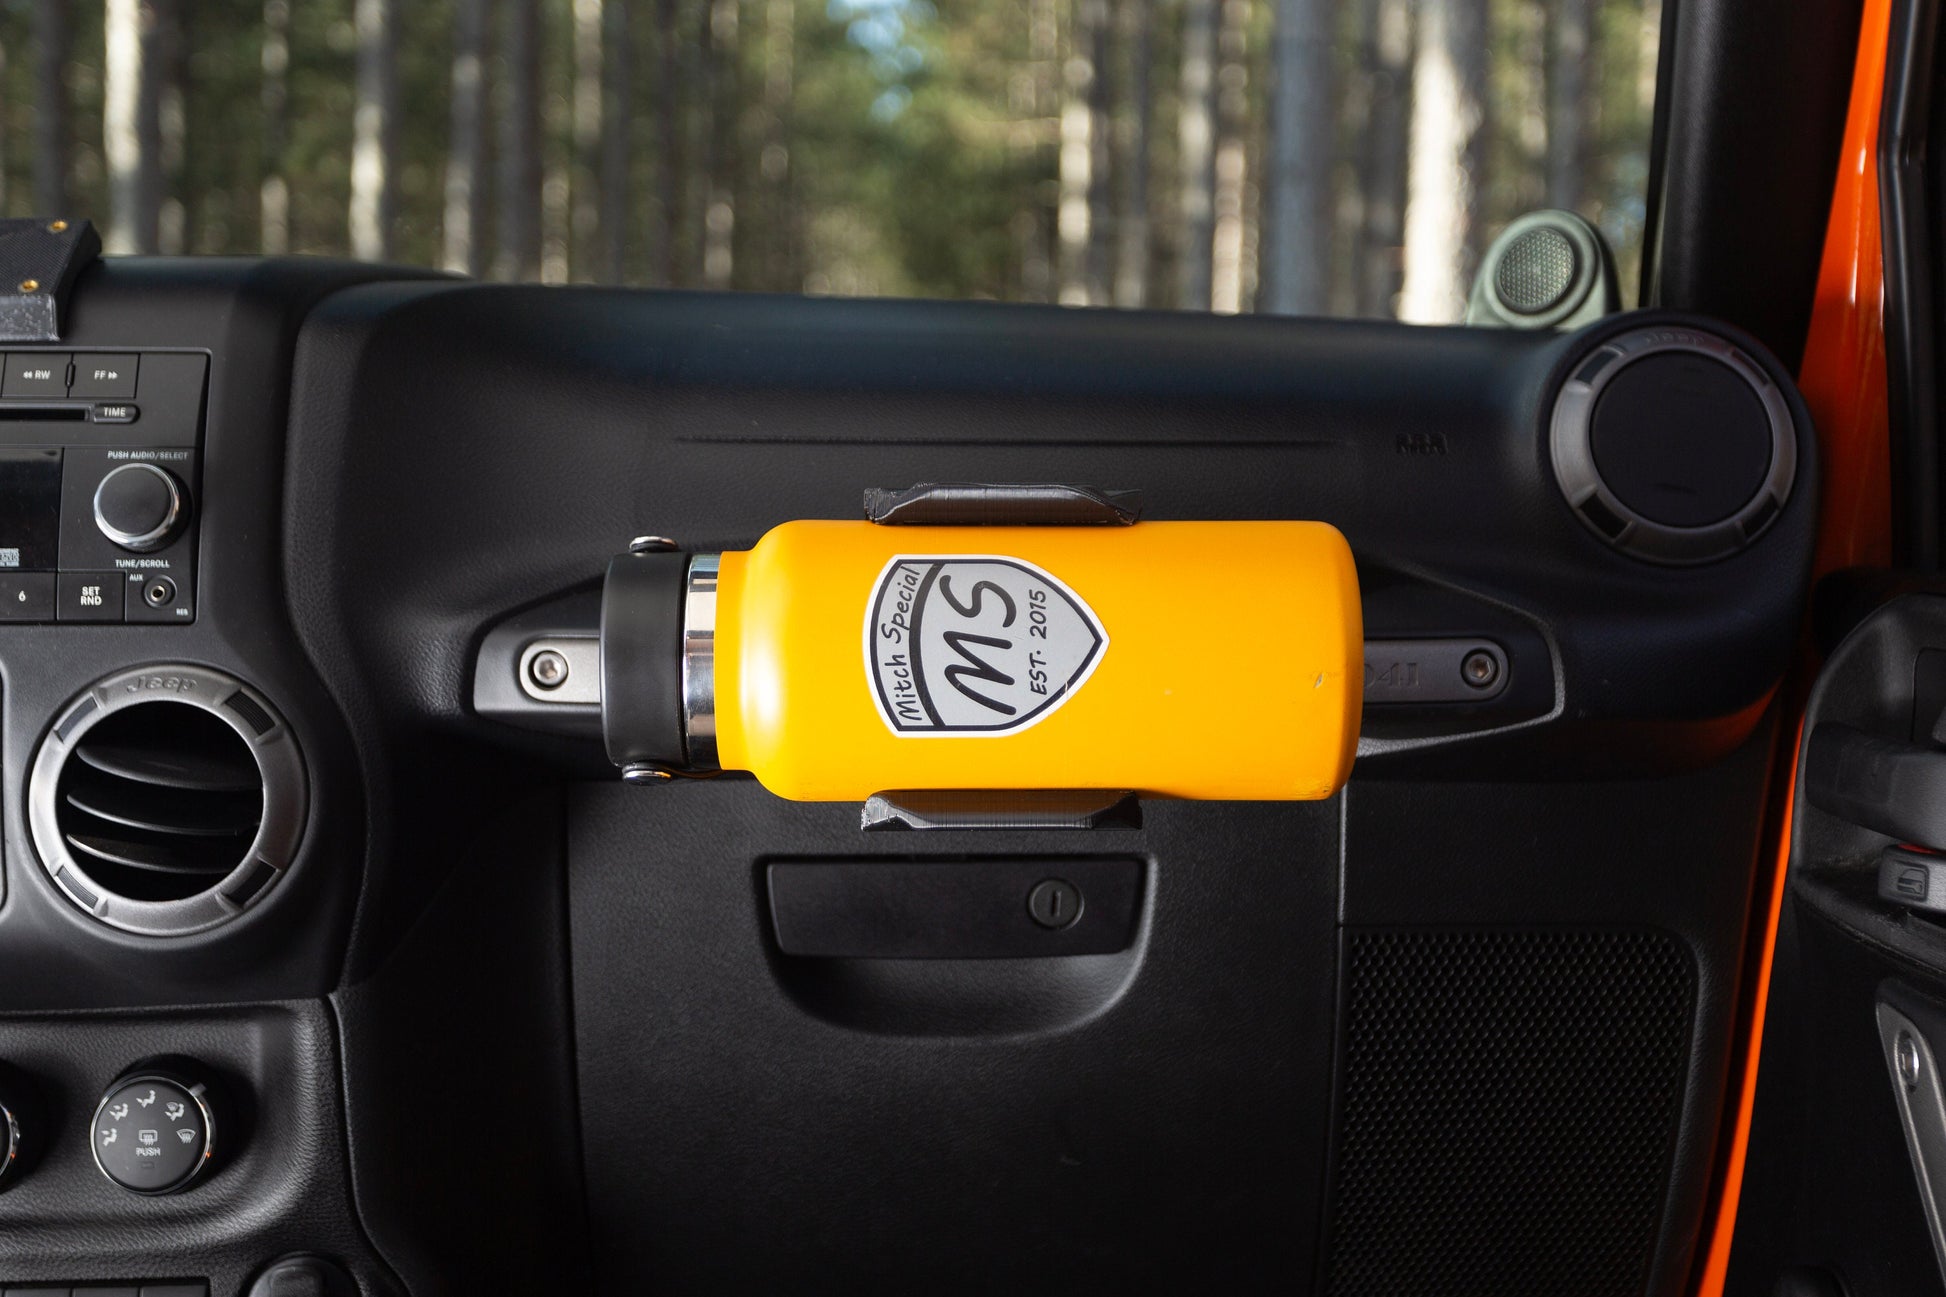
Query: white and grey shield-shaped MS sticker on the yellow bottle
(974,646)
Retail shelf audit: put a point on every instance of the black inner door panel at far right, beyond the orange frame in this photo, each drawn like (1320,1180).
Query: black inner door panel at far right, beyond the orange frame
(1830,1187)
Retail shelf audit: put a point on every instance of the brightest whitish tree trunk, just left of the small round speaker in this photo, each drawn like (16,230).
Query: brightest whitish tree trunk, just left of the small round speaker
(1445,165)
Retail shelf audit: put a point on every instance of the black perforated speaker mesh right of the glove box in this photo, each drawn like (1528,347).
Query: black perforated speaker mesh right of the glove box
(1509,1109)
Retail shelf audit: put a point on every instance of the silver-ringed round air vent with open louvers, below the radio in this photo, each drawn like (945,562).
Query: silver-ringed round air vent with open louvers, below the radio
(168,799)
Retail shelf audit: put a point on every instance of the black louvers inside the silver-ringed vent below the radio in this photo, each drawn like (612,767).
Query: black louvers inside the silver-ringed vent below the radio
(161,801)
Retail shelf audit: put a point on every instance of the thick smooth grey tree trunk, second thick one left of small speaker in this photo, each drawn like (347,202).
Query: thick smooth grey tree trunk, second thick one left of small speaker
(1303,143)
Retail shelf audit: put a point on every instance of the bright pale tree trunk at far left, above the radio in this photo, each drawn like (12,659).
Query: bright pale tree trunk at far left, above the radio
(129,126)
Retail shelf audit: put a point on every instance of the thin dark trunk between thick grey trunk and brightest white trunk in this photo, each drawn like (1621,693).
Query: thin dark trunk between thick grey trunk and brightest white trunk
(1383,159)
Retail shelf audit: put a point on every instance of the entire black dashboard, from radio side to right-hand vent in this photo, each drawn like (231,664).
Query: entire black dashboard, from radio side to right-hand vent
(480,918)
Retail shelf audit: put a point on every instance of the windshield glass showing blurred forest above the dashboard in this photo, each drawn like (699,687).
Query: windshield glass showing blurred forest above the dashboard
(1307,157)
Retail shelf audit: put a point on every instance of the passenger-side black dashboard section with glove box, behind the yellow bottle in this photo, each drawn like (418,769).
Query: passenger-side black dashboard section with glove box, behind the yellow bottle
(748,1117)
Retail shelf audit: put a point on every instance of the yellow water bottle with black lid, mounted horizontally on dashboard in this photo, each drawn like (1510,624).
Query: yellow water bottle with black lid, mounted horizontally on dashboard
(844,659)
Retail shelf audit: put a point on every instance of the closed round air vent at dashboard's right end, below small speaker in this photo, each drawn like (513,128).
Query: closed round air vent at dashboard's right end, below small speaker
(1673,445)
